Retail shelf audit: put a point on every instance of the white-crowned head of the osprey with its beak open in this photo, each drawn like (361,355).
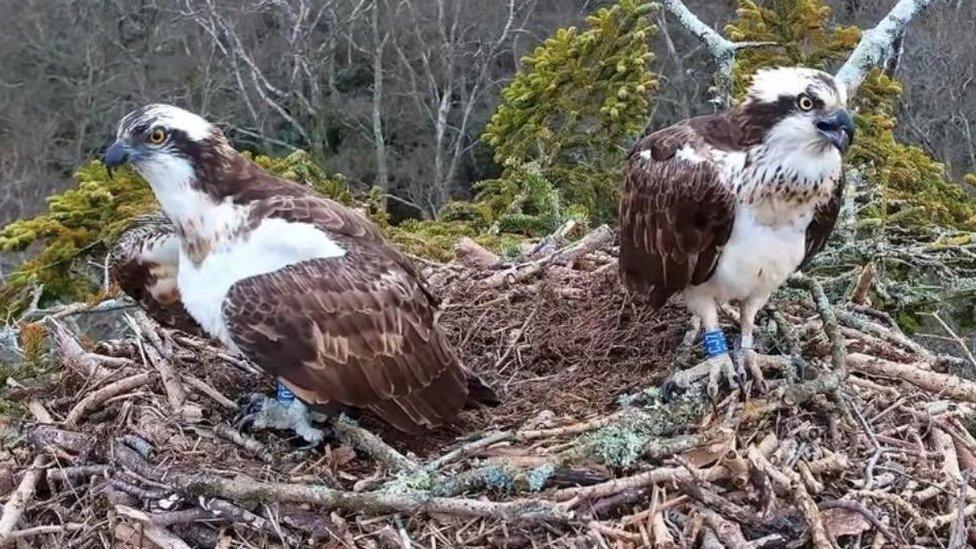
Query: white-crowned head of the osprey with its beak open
(801,108)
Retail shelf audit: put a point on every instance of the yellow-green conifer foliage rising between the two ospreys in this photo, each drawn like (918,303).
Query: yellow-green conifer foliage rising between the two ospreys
(572,108)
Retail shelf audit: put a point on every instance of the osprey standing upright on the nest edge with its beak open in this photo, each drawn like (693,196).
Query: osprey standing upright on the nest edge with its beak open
(725,207)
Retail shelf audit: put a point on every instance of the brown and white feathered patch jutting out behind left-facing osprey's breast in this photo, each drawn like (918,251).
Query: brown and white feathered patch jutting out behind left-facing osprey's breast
(144,263)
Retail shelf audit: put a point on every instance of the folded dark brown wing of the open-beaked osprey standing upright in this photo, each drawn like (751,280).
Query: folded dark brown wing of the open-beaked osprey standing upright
(675,212)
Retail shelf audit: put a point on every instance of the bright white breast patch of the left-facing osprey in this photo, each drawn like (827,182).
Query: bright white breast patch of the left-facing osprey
(271,246)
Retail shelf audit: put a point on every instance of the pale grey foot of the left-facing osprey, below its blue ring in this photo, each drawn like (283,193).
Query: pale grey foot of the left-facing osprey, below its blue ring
(264,412)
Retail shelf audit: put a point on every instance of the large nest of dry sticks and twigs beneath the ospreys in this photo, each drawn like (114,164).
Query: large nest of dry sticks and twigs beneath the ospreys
(129,442)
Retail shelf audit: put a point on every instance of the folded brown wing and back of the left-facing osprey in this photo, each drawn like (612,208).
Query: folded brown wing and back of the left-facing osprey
(356,330)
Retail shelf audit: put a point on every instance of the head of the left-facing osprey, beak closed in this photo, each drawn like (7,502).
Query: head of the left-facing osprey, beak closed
(162,142)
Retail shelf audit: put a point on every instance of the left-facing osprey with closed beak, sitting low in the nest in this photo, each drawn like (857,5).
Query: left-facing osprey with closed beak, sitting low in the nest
(302,286)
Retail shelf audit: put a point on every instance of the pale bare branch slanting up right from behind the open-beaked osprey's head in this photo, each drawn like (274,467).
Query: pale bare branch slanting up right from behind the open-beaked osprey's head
(877,44)
